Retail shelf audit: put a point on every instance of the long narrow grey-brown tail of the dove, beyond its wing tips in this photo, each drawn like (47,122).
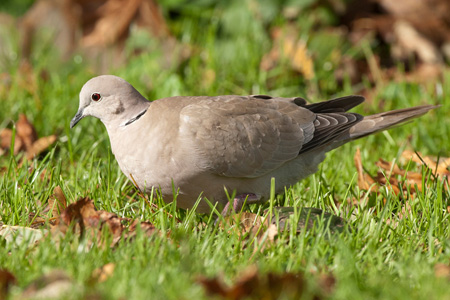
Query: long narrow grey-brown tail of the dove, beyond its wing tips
(386,120)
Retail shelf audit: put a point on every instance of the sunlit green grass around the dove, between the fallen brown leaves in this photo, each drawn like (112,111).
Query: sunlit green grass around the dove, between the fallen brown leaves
(373,259)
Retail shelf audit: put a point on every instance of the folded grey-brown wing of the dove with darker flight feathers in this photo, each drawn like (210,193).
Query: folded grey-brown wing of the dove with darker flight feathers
(249,136)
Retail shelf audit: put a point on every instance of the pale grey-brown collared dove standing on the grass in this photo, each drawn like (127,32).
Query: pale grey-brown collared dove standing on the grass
(203,145)
